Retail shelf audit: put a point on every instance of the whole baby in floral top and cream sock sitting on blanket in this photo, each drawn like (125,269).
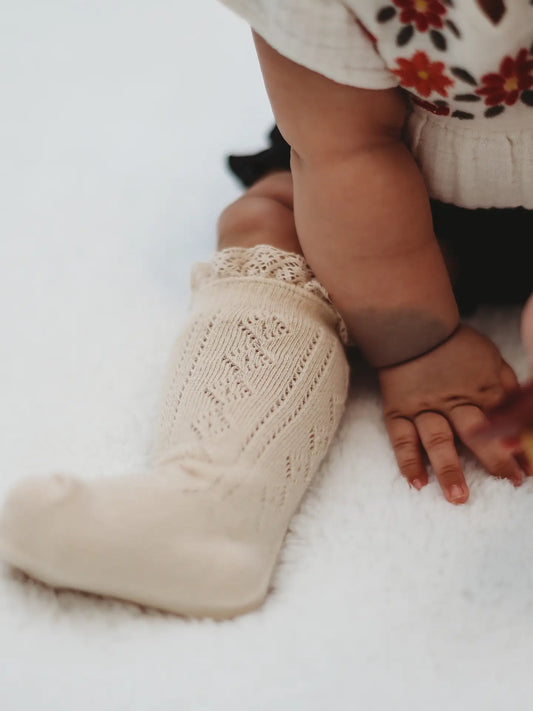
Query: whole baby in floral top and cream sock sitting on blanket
(409,123)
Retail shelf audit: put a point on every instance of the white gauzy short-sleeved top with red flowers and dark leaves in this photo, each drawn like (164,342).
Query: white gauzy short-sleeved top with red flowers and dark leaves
(469,80)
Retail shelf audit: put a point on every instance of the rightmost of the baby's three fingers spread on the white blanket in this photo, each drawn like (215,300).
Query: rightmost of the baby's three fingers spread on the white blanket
(494,456)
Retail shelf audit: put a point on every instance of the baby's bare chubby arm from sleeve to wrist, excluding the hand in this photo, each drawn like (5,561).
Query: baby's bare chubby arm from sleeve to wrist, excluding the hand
(361,210)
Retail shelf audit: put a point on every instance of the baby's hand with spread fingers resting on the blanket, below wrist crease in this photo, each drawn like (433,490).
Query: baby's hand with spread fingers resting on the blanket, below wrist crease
(444,393)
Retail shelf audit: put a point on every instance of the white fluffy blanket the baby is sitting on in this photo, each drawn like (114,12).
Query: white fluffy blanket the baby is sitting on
(115,120)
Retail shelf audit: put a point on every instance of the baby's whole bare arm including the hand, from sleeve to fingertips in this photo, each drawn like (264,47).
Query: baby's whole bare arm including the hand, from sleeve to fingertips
(363,219)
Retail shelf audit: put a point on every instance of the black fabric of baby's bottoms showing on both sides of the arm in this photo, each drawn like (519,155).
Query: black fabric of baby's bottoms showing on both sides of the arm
(492,249)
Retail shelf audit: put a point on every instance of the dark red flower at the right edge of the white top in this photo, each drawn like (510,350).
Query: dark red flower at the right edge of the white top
(515,77)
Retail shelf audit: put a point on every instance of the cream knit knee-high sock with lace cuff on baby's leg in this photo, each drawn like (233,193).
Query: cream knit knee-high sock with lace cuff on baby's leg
(254,393)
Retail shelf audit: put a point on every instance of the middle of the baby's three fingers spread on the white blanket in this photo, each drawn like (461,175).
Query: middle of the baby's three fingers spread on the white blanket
(437,439)
